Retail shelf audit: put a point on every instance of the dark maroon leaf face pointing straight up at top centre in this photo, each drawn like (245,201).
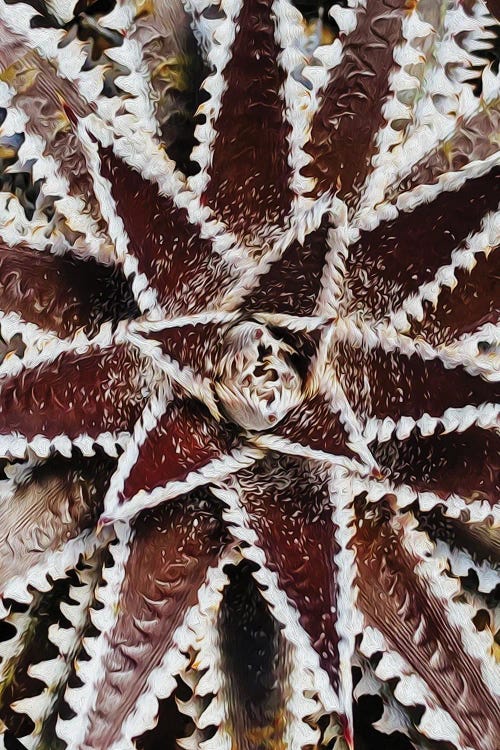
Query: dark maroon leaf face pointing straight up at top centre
(250,172)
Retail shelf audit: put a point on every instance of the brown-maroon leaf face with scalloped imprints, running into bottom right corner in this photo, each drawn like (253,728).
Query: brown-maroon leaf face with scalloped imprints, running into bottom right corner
(396,600)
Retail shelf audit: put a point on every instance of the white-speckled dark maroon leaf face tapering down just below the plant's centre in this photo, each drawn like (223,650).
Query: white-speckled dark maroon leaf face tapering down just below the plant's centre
(287,503)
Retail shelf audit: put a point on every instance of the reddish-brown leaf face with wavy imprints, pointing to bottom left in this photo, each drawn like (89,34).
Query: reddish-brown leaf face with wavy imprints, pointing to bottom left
(171,551)
